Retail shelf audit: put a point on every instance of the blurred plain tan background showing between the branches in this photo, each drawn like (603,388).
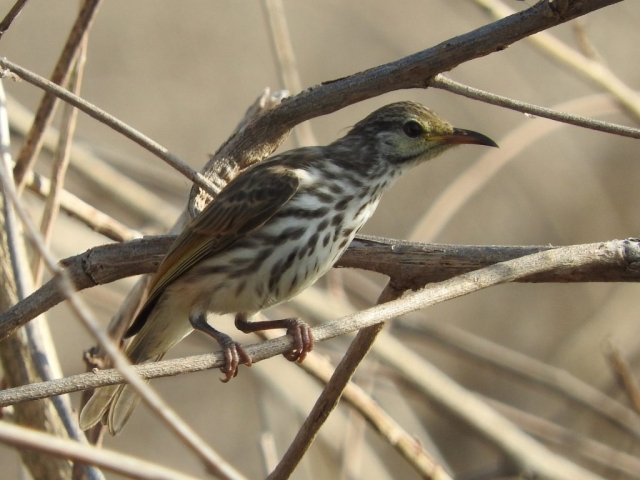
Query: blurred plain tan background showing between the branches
(184,73)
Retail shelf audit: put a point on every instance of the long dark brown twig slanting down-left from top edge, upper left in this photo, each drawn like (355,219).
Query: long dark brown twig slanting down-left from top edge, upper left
(32,144)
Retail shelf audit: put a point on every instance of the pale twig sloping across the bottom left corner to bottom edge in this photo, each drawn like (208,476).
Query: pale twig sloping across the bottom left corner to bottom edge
(131,467)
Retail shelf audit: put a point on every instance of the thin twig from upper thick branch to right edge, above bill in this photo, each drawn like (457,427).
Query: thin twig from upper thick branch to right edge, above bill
(444,83)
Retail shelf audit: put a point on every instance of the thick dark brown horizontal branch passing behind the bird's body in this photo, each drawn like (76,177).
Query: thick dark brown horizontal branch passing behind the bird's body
(410,266)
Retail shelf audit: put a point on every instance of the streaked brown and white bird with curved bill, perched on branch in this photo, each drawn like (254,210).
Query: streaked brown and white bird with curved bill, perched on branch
(272,232)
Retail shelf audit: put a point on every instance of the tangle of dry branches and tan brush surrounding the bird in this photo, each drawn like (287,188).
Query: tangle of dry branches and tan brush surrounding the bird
(536,377)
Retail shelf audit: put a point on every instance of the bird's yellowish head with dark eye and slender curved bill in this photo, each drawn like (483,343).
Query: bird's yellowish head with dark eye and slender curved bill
(407,133)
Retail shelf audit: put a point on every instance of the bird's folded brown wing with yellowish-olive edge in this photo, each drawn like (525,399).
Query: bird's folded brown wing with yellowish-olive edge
(244,205)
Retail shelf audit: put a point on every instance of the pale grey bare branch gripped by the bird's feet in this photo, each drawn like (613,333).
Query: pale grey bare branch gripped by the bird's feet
(558,259)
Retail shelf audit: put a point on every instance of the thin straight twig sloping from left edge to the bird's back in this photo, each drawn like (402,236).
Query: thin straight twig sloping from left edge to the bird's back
(111,121)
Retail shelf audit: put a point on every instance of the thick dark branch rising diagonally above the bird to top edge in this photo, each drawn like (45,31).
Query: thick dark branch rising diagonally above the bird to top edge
(265,133)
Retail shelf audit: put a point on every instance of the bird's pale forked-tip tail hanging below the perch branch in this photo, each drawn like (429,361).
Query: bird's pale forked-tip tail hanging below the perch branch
(116,403)
